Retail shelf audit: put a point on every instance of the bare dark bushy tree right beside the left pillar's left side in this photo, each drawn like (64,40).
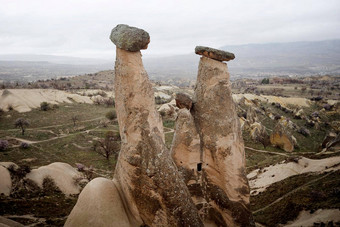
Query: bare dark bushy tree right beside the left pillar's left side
(108,146)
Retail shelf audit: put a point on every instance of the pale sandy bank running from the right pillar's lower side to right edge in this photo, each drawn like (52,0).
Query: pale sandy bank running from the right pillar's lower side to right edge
(259,180)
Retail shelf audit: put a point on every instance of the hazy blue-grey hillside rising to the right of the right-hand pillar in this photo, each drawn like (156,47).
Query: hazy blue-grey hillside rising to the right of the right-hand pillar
(301,58)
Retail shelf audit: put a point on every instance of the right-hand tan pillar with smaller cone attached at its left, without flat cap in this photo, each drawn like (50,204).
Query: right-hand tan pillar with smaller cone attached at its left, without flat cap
(218,181)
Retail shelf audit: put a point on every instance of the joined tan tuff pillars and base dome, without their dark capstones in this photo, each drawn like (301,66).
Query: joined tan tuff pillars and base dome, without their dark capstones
(148,188)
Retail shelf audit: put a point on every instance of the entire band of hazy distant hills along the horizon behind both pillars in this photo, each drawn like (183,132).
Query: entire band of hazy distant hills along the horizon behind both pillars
(269,59)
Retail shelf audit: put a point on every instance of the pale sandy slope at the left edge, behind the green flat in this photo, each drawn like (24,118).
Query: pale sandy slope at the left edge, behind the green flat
(23,100)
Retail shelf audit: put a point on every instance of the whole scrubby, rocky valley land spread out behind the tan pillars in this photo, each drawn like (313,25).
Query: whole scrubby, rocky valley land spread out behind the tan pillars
(292,153)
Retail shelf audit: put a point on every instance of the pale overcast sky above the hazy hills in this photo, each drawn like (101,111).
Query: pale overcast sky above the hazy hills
(81,28)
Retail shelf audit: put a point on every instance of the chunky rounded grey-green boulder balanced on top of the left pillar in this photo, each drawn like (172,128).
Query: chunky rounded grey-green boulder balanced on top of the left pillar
(130,38)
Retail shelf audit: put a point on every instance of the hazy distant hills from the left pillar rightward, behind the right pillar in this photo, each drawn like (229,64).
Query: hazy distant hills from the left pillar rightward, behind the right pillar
(296,58)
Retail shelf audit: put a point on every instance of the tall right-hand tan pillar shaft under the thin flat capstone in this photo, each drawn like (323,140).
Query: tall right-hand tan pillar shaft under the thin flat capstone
(222,145)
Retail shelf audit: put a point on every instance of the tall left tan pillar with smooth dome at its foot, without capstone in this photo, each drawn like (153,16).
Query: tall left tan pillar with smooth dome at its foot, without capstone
(150,187)
